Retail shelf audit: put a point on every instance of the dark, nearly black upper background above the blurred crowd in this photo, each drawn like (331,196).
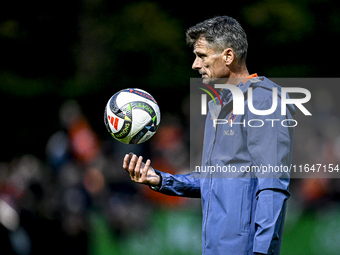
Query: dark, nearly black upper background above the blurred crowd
(88,50)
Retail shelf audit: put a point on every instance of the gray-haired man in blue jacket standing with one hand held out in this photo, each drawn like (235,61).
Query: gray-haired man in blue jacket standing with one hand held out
(244,213)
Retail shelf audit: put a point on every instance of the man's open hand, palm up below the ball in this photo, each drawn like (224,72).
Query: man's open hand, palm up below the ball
(140,172)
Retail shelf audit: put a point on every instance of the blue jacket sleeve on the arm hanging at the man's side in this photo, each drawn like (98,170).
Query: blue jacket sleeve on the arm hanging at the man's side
(270,147)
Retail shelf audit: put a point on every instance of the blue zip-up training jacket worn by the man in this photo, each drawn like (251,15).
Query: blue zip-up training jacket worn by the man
(243,212)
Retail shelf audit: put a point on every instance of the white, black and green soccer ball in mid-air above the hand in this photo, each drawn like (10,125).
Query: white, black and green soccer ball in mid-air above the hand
(132,116)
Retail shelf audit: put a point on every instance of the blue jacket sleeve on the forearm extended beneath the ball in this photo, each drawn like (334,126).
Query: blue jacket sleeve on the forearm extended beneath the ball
(184,185)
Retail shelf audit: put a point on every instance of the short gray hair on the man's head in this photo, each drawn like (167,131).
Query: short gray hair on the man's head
(221,32)
